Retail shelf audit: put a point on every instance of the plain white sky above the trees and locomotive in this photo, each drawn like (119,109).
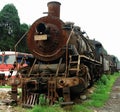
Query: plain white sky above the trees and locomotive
(100,19)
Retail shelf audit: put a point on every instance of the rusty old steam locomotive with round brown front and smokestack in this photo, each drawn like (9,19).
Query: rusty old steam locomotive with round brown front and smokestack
(66,61)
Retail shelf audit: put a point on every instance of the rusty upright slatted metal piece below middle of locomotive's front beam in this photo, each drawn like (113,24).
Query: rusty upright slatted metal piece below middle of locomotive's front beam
(52,94)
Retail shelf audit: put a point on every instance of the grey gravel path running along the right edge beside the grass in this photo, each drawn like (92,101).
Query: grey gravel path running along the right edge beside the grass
(113,104)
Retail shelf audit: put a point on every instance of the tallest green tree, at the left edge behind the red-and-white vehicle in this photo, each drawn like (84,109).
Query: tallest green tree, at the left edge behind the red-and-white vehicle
(9,27)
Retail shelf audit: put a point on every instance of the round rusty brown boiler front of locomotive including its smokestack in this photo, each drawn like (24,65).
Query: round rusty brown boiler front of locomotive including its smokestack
(51,48)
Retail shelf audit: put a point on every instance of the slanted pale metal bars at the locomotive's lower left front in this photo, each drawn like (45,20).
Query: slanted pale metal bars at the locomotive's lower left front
(32,100)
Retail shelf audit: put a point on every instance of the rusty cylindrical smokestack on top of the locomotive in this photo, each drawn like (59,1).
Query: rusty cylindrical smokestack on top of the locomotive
(54,9)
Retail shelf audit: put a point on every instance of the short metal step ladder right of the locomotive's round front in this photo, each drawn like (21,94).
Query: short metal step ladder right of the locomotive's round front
(74,65)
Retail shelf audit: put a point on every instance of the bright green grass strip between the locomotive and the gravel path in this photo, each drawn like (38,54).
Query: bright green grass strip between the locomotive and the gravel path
(102,91)
